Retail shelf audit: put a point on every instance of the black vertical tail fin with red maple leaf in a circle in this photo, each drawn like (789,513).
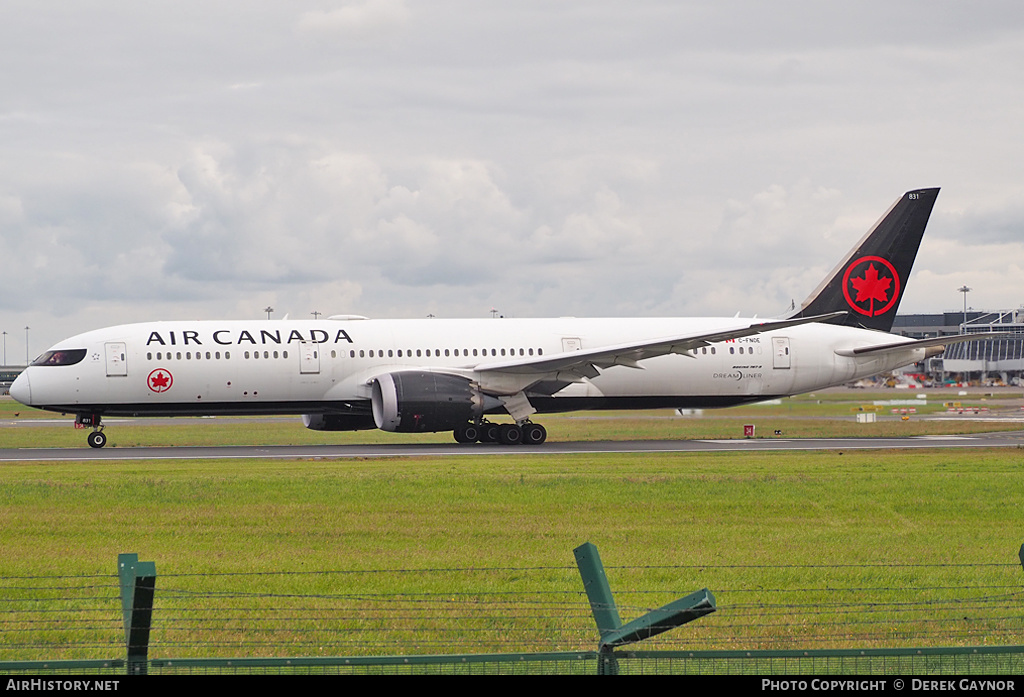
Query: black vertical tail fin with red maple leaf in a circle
(870,282)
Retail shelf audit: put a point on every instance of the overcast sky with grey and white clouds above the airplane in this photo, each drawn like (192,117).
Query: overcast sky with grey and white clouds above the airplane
(398,159)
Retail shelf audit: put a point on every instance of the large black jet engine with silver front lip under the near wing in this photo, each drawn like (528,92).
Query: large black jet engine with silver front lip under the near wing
(413,402)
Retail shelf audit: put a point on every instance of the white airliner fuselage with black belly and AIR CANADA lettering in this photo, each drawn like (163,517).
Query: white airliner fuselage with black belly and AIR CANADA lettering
(321,367)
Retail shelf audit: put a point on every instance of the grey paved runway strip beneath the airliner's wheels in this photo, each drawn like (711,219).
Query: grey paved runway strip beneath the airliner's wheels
(1006,440)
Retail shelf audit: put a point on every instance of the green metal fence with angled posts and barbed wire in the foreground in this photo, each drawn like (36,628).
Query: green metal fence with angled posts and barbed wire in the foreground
(198,619)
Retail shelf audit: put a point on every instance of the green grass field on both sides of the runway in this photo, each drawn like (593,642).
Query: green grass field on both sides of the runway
(475,554)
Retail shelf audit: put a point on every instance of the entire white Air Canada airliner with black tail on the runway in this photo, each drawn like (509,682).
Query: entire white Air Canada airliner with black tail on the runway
(348,373)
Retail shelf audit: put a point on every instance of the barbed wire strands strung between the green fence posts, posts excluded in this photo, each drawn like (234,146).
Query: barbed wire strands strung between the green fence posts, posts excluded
(465,612)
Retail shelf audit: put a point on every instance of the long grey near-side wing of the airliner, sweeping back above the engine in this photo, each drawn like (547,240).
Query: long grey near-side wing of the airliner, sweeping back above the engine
(586,364)
